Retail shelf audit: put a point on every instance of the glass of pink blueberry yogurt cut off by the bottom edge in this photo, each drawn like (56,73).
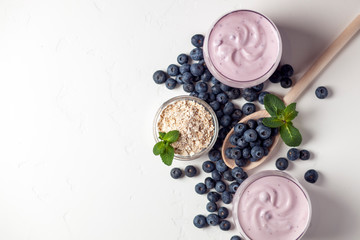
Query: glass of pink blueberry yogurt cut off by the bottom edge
(272,207)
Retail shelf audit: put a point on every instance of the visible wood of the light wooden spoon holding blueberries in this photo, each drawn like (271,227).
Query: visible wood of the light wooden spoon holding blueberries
(298,88)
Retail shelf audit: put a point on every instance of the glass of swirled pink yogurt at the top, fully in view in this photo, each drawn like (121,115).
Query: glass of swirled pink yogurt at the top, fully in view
(242,48)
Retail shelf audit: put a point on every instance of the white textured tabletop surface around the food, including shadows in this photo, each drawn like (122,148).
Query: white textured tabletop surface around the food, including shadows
(77,102)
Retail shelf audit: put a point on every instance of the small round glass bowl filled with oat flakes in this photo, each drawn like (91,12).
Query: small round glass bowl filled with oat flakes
(194,119)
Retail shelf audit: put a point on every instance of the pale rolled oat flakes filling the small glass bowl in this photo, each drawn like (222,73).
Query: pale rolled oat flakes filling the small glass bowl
(193,122)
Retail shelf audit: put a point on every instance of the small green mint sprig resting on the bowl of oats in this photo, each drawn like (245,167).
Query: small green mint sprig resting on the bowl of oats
(164,148)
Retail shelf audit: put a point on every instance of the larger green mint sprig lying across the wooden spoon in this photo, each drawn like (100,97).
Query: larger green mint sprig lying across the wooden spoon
(281,117)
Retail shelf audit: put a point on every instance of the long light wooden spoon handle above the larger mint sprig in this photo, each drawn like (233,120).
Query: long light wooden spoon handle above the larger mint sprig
(322,61)
